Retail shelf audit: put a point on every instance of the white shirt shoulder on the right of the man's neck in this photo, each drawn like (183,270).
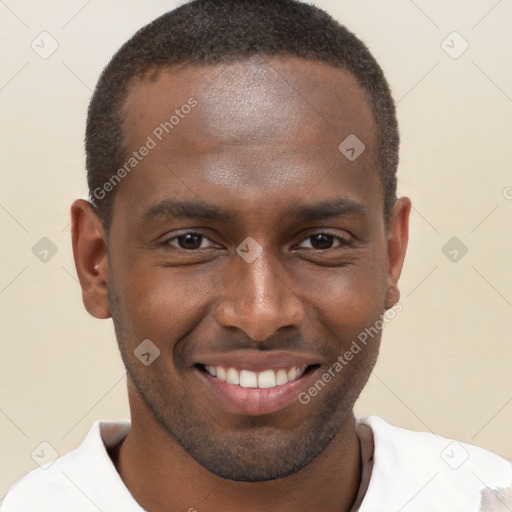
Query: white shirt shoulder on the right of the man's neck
(426,470)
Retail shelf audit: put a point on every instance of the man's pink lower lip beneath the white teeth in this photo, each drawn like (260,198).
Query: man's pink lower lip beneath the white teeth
(255,401)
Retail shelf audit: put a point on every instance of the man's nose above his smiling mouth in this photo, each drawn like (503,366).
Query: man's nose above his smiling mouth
(259,299)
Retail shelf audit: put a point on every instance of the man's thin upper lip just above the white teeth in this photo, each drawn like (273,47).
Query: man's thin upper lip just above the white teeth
(258,361)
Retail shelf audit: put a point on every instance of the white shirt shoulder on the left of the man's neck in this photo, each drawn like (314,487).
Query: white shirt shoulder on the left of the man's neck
(72,479)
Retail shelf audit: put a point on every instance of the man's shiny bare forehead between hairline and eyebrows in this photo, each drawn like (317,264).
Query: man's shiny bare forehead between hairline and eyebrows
(261,125)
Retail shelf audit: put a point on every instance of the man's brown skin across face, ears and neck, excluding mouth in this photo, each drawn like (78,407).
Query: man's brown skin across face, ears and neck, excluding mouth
(262,145)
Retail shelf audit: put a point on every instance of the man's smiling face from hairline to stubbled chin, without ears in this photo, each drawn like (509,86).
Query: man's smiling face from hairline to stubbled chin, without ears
(256,158)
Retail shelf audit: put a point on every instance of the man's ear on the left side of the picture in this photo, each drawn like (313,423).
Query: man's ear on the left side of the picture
(91,257)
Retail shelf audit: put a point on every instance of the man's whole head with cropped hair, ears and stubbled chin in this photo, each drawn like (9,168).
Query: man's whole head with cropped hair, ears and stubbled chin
(244,232)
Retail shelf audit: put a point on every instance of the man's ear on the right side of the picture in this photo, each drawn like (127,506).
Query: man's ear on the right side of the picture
(398,236)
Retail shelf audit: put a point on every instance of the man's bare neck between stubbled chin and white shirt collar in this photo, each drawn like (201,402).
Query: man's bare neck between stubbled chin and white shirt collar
(162,476)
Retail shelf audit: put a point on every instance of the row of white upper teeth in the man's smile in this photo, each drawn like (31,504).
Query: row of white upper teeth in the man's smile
(248,379)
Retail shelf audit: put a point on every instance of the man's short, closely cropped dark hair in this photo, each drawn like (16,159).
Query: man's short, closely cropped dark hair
(211,32)
